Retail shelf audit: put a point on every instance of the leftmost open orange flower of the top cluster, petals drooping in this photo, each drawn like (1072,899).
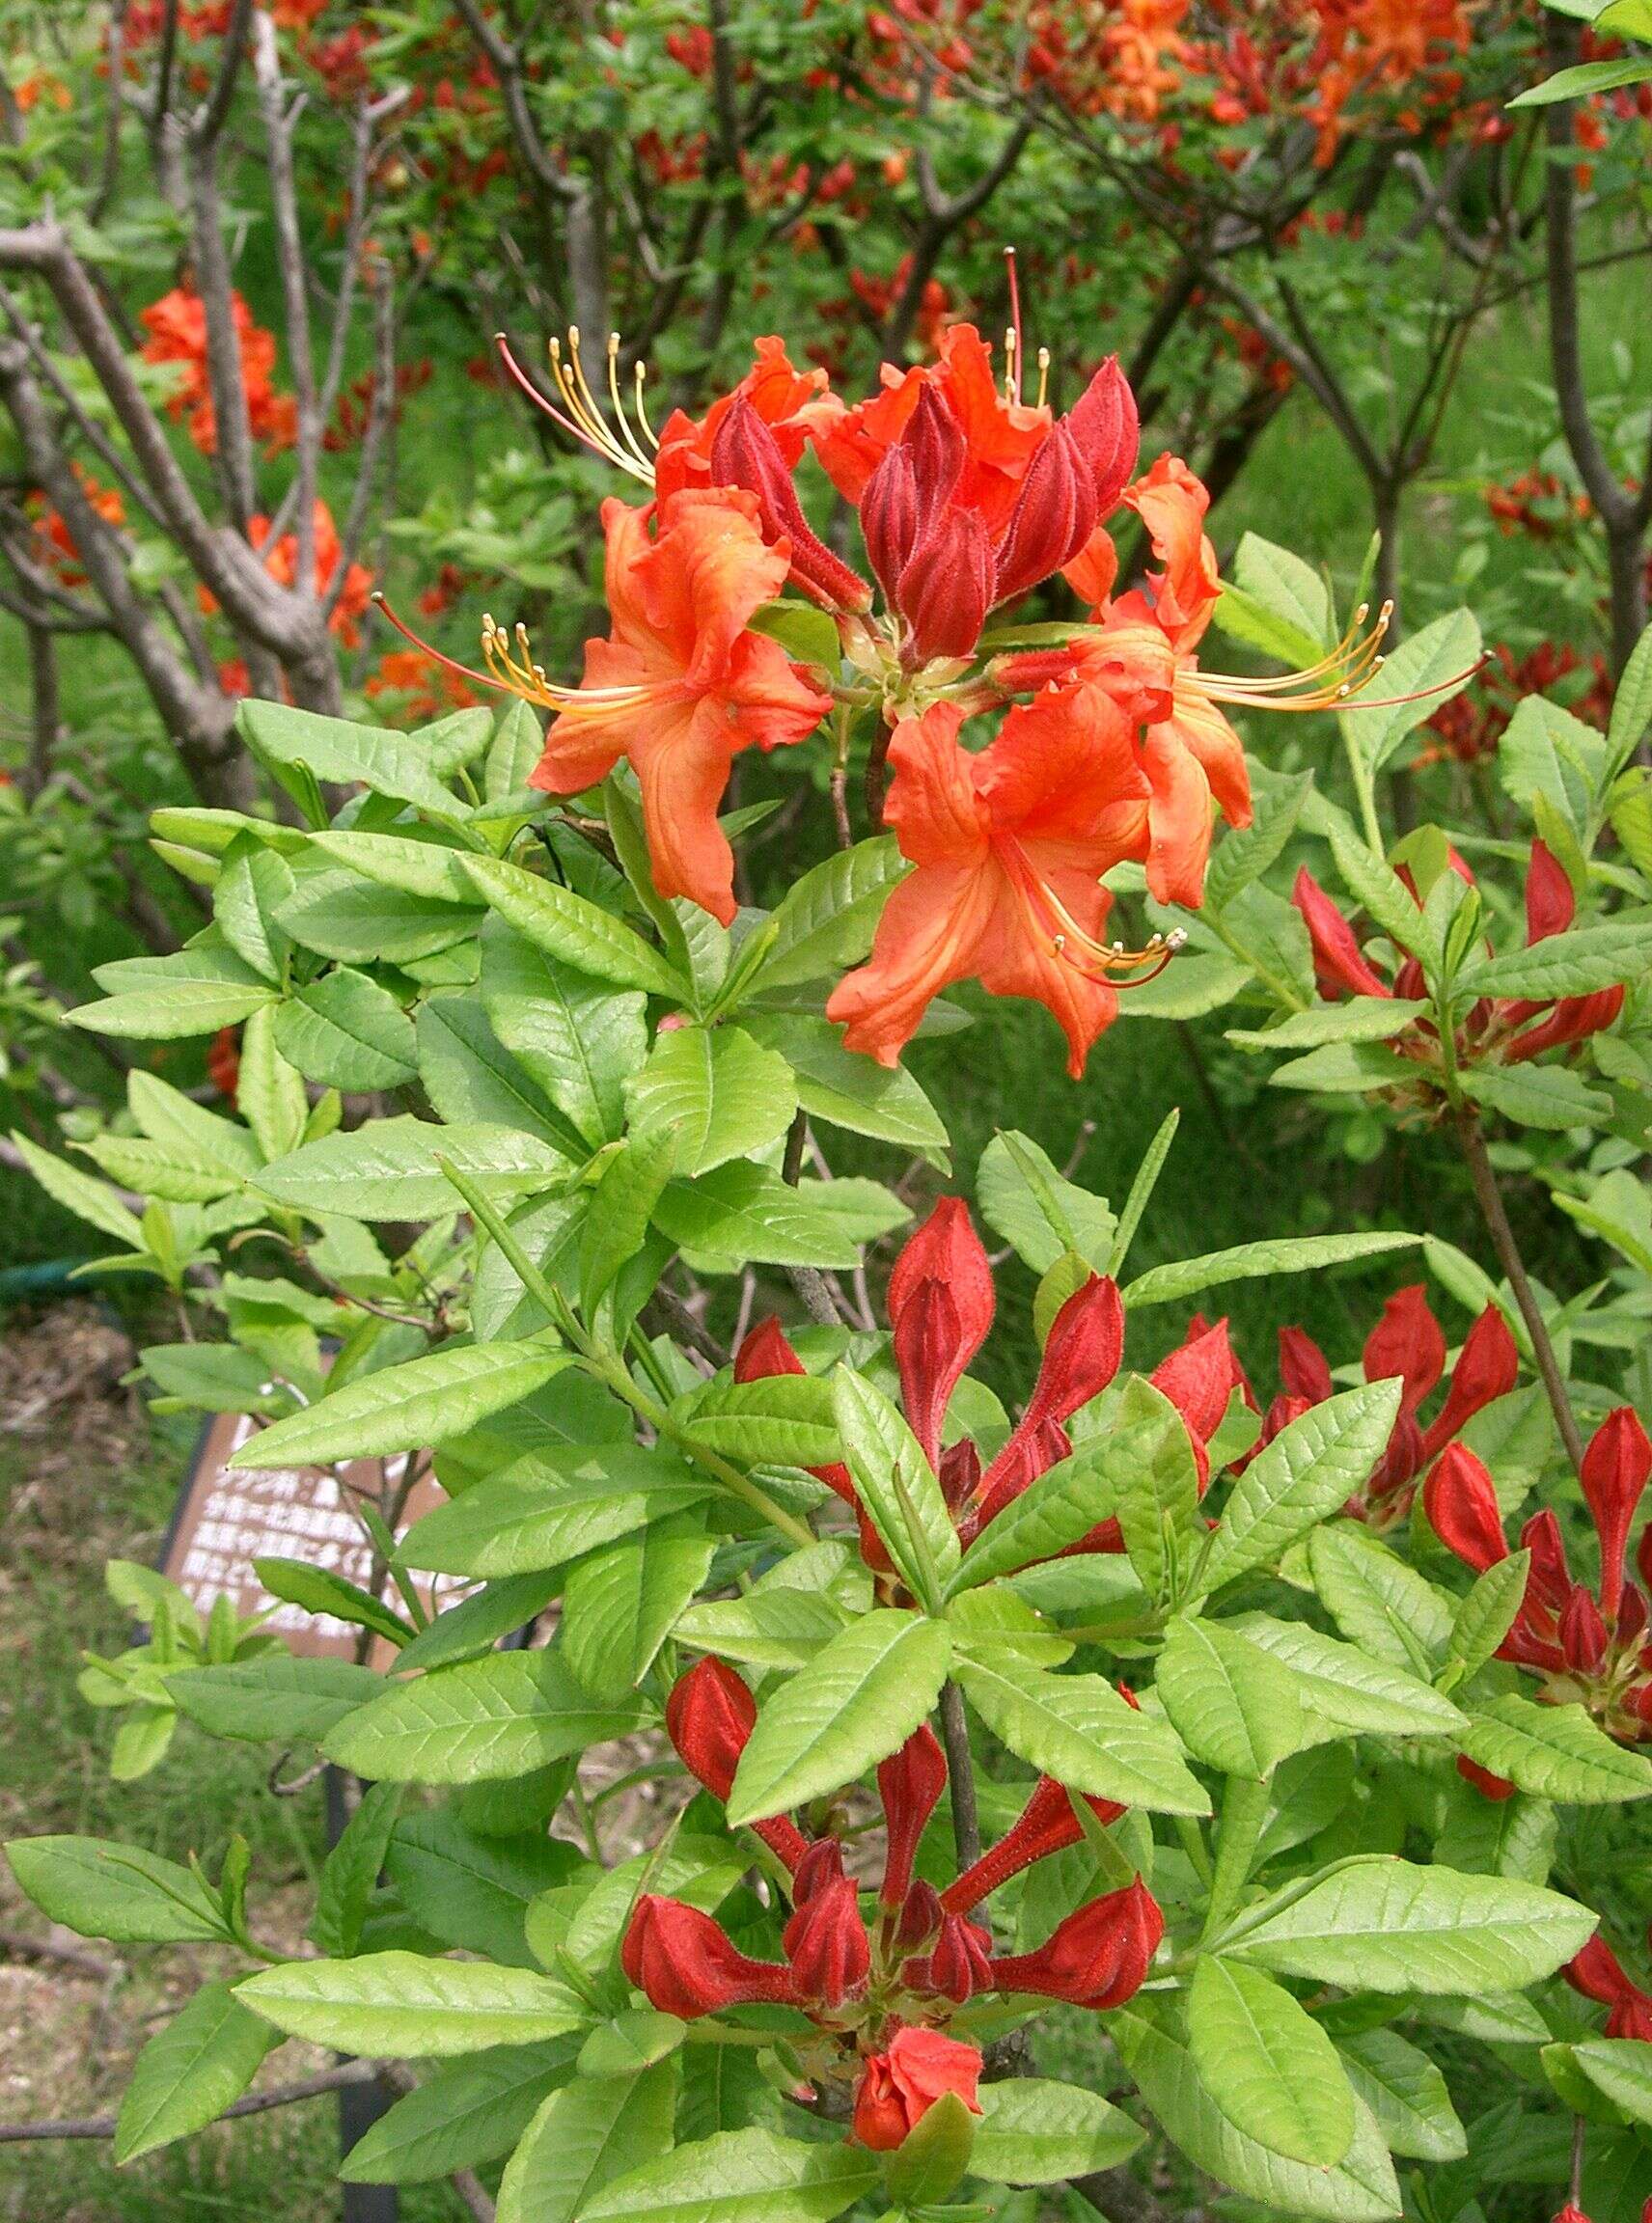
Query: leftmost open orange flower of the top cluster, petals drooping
(681,686)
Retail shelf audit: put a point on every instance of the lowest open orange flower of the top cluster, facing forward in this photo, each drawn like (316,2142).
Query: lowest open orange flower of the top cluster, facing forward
(1008,850)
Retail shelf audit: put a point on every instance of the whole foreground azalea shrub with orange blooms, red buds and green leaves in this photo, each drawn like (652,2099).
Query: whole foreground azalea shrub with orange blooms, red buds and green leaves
(557,1173)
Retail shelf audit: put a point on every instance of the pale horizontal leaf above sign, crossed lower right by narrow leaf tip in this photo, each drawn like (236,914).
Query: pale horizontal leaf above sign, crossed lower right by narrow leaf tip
(388,1170)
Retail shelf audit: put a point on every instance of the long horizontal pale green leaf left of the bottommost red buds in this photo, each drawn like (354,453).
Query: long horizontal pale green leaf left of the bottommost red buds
(408,2006)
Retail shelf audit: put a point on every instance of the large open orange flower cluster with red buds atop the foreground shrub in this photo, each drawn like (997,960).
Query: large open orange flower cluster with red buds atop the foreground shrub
(1108,748)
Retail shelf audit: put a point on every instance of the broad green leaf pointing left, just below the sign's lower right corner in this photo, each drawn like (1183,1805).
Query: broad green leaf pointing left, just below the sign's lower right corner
(495,1717)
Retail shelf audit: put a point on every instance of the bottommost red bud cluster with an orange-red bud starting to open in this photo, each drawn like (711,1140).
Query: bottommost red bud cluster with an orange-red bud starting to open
(877,1995)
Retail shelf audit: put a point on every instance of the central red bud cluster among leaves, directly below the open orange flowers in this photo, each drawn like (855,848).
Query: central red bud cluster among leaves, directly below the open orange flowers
(942,1306)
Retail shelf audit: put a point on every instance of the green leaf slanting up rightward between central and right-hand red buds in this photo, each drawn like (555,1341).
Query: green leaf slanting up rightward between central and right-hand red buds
(1304,1475)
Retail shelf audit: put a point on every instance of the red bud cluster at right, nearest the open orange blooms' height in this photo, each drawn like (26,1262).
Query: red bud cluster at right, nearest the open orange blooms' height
(1497,1030)
